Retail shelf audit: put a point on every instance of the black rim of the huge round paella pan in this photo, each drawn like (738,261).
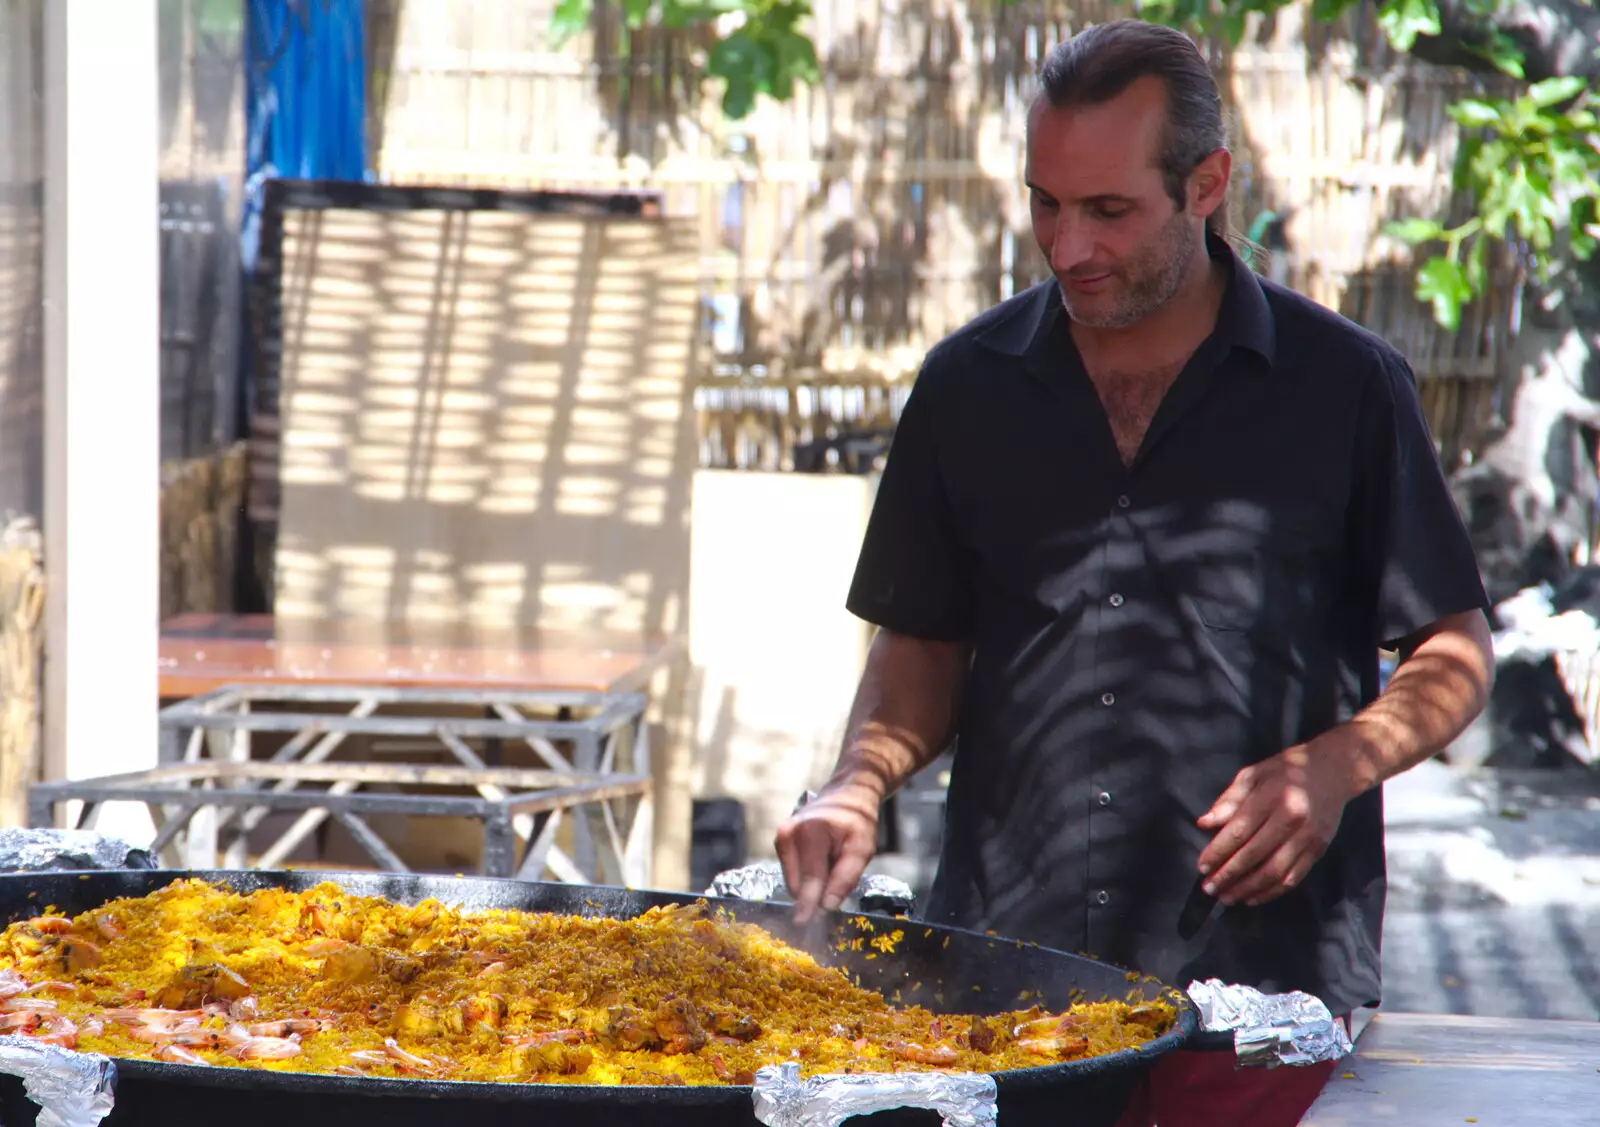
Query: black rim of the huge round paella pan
(686,1096)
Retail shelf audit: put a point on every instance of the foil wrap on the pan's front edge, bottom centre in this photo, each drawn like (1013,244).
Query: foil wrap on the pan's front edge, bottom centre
(785,1101)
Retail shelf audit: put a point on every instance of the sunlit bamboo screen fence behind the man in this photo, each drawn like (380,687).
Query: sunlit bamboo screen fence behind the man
(844,233)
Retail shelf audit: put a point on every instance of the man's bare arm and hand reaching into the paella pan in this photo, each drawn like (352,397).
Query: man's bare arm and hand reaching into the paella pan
(903,718)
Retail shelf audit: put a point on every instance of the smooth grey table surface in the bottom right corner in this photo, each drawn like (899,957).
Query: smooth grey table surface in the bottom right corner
(1438,1070)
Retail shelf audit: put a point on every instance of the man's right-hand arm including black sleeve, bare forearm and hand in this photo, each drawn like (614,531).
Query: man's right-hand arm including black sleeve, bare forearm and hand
(1417,564)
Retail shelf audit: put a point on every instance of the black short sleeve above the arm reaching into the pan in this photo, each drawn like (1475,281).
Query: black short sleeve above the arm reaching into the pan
(914,576)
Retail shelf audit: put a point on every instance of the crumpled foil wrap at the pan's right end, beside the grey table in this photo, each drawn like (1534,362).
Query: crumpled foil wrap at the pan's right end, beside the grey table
(1271,1030)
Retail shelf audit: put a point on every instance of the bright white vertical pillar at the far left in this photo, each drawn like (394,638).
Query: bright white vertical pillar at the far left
(102,393)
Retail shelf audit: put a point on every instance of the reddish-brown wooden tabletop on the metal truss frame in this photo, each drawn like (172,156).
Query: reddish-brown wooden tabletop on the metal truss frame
(206,652)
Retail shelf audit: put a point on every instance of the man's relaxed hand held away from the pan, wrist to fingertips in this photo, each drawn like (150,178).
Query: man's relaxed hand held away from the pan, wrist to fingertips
(1274,822)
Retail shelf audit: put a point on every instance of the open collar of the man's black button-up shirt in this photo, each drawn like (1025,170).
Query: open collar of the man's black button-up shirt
(1244,321)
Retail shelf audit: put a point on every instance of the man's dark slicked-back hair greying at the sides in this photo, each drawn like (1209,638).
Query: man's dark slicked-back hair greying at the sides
(1103,60)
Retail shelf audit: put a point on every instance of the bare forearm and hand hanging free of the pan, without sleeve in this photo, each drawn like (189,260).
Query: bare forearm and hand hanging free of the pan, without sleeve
(1279,816)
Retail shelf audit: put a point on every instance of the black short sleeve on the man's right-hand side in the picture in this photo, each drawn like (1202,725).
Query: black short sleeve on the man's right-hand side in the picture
(1415,548)
